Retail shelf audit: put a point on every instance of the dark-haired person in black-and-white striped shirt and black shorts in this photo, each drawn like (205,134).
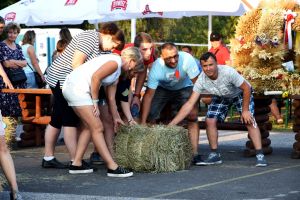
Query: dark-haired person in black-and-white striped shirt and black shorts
(82,48)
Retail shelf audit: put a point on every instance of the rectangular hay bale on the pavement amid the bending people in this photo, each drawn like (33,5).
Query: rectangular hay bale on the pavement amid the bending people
(157,148)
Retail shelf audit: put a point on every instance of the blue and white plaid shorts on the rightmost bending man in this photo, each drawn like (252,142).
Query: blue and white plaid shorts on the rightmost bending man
(219,106)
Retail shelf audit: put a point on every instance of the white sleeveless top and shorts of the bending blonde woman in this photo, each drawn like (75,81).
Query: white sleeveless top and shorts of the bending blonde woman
(76,88)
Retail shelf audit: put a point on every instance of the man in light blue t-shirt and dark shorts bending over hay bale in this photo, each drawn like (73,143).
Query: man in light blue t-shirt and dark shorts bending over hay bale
(170,81)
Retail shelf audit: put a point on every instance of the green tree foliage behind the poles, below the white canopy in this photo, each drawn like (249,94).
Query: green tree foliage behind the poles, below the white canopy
(193,30)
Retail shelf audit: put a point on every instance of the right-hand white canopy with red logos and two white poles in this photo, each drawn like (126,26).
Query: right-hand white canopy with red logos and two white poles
(132,9)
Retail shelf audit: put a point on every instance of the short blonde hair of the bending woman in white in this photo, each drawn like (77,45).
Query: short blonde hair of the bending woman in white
(133,53)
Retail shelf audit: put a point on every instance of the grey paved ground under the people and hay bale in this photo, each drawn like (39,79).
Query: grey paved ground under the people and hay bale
(237,178)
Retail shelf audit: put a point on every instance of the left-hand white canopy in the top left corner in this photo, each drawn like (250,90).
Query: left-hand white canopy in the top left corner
(54,12)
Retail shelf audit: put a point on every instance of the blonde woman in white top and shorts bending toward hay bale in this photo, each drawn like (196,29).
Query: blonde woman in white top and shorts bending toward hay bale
(81,90)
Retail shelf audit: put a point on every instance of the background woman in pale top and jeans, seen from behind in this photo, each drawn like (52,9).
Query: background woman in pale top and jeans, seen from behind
(32,61)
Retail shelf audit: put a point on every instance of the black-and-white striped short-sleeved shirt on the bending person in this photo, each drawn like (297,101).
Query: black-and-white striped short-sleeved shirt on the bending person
(86,42)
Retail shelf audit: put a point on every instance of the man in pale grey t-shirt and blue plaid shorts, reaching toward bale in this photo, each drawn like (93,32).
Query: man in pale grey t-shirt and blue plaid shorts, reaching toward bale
(227,87)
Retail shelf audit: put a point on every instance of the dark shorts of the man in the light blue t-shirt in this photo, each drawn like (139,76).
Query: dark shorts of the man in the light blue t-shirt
(174,98)
